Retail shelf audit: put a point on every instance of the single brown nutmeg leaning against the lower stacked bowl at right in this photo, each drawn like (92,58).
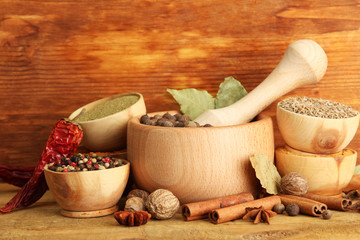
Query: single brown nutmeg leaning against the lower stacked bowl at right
(294,184)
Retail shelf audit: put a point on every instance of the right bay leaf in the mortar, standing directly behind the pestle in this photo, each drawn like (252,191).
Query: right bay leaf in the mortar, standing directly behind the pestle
(230,91)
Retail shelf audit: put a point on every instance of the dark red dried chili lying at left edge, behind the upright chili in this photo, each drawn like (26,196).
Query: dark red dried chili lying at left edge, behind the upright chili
(15,175)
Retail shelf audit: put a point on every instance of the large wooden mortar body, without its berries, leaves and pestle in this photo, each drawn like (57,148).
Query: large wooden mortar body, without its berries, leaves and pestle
(198,163)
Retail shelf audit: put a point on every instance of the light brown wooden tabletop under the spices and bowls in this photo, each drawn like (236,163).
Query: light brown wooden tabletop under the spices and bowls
(43,221)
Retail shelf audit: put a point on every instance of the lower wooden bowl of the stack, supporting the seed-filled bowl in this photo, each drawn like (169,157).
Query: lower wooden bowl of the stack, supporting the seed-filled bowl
(326,174)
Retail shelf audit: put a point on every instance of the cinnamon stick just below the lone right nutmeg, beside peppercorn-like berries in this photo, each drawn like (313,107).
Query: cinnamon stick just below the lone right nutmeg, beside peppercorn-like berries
(306,205)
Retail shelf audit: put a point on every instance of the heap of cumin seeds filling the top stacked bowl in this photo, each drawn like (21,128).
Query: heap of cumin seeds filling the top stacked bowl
(317,107)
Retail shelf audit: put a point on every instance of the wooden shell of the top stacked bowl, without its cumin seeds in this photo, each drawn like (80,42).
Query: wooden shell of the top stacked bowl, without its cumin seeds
(314,134)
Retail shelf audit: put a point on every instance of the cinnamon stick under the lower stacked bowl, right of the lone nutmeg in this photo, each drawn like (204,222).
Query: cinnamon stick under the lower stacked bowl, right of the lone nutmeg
(332,202)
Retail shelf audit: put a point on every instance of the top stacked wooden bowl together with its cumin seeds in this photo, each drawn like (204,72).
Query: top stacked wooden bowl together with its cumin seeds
(315,125)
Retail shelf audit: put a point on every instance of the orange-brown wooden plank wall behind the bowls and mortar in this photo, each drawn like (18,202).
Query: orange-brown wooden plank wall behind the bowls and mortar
(58,55)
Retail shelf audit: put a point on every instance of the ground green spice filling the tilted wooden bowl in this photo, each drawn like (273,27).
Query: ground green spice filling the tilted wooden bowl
(109,107)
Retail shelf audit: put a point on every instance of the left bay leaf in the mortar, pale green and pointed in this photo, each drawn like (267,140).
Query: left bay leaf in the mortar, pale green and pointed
(193,102)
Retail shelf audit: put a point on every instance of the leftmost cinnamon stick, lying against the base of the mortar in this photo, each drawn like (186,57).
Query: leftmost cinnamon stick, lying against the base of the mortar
(200,210)
